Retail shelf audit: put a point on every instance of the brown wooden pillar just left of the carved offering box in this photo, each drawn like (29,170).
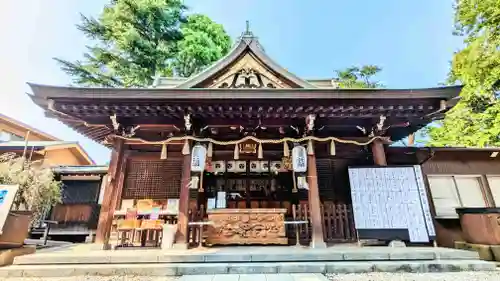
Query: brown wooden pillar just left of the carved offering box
(181,237)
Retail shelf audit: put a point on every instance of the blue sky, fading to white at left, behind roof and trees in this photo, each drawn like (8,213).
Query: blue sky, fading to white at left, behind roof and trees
(411,40)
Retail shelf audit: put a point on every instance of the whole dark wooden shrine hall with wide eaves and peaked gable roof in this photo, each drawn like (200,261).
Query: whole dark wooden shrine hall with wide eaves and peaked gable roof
(247,115)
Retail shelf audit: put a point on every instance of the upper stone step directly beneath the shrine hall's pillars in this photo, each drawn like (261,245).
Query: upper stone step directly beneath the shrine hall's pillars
(231,256)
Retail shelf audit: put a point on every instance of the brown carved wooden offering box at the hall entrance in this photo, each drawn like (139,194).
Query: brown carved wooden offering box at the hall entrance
(247,226)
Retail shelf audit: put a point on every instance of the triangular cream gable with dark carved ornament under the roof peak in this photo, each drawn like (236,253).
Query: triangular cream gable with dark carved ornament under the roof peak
(248,72)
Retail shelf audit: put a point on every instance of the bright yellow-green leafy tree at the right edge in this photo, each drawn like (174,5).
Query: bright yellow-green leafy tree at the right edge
(475,120)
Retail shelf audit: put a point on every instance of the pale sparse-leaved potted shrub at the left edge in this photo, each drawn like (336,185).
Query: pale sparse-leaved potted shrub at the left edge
(38,189)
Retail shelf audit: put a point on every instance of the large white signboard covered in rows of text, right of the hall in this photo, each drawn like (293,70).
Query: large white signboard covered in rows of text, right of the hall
(386,198)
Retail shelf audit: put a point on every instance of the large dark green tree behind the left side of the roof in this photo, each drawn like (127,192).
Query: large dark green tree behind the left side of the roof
(136,40)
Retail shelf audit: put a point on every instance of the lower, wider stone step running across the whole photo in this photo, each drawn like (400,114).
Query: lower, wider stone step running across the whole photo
(176,269)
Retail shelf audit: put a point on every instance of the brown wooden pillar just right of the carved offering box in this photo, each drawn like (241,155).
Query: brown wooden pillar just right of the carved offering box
(317,240)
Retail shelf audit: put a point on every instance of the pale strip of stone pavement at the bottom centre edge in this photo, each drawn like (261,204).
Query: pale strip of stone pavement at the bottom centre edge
(256,277)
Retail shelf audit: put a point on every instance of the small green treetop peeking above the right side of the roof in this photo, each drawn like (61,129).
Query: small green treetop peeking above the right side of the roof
(356,77)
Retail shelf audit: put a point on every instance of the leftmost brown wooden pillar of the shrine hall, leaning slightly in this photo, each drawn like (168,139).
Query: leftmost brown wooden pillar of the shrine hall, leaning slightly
(108,205)
